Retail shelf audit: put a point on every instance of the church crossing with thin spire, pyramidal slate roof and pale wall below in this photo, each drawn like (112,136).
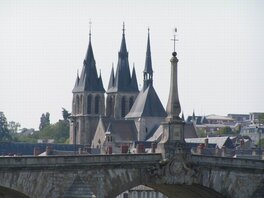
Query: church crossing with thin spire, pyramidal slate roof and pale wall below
(147,111)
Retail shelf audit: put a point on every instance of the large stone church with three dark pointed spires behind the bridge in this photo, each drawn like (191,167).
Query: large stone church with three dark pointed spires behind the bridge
(120,115)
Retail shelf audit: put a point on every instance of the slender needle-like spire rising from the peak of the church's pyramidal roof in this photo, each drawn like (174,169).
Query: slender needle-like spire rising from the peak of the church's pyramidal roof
(148,72)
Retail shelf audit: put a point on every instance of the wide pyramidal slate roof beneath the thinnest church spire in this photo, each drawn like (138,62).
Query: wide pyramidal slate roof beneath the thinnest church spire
(147,104)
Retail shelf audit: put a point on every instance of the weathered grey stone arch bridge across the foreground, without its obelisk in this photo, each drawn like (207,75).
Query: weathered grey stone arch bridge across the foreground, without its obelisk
(109,175)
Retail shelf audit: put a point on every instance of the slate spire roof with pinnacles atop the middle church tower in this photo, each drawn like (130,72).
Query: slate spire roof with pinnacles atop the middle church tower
(122,80)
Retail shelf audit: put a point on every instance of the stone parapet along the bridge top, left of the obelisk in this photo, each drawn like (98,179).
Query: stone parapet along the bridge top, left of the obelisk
(78,160)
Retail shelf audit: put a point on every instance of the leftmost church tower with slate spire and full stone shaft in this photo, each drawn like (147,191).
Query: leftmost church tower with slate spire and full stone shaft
(88,102)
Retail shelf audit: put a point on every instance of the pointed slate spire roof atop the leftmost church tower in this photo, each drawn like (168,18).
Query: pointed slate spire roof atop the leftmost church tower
(89,80)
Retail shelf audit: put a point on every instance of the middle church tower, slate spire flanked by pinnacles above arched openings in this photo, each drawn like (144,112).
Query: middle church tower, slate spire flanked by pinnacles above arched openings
(123,88)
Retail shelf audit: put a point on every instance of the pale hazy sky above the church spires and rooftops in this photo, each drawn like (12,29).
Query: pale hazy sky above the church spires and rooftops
(220,52)
